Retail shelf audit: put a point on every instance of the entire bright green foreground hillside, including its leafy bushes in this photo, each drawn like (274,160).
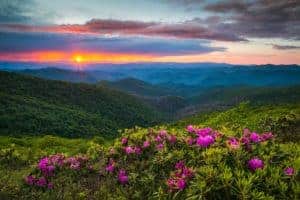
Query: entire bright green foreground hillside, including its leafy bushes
(218,171)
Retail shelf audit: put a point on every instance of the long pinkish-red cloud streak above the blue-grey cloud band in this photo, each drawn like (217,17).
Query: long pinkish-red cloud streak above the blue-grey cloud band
(185,30)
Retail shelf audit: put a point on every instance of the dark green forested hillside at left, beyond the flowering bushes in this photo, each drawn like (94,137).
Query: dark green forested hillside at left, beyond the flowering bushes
(31,105)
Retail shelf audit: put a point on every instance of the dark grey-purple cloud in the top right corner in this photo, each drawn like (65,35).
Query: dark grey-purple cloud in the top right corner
(259,18)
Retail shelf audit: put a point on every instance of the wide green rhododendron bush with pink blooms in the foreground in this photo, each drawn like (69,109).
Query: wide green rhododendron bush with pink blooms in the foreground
(192,163)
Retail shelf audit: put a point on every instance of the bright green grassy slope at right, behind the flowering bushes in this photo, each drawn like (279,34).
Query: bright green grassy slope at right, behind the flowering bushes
(283,120)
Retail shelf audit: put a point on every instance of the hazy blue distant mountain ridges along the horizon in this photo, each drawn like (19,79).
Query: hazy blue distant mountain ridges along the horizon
(182,79)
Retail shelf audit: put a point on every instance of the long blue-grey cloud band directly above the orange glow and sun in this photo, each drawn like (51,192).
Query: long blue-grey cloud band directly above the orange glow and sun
(28,42)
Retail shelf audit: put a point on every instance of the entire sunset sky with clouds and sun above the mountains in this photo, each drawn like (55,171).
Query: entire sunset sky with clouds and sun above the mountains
(125,31)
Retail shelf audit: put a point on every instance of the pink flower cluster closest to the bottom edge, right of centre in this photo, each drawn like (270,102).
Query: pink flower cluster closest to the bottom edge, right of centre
(180,177)
